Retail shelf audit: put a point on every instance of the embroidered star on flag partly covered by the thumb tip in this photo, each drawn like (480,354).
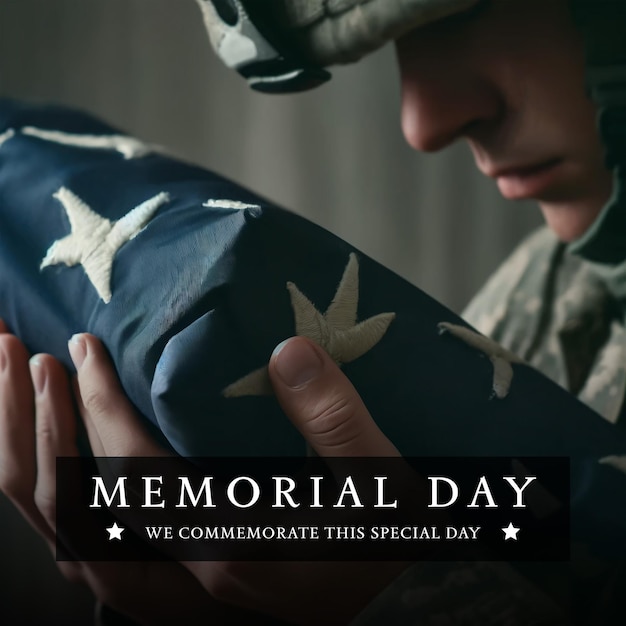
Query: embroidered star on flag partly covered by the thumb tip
(336,330)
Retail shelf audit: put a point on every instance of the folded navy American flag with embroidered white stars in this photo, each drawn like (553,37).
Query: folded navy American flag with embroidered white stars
(191,281)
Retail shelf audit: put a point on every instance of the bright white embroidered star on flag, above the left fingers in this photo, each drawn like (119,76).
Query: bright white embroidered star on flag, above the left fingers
(94,240)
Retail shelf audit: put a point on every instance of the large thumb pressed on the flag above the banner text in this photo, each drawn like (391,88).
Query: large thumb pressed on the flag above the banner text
(322,403)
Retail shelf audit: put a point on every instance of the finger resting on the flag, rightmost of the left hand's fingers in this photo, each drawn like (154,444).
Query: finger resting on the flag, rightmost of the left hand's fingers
(112,424)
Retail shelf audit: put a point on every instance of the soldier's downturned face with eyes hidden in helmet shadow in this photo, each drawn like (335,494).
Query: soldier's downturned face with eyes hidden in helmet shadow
(510,80)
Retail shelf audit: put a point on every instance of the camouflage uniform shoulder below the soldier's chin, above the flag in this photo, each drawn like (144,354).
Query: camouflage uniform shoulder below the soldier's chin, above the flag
(561,314)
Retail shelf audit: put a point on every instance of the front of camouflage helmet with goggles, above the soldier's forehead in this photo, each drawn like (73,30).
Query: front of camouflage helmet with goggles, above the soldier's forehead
(282,46)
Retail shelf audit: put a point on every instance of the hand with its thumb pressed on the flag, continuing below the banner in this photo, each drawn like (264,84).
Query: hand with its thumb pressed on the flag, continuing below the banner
(324,406)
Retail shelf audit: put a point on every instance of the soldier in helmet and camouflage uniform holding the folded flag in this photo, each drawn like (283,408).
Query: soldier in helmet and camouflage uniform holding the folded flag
(508,77)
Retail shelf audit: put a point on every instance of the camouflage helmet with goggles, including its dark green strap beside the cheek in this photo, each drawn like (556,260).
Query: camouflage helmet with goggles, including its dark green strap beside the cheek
(285,45)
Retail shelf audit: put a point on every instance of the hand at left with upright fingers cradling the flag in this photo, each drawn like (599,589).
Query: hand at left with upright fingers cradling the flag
(37,424)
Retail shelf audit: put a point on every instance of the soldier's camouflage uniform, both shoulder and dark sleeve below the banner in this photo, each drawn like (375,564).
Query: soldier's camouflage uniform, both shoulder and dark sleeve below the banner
(565,316)
